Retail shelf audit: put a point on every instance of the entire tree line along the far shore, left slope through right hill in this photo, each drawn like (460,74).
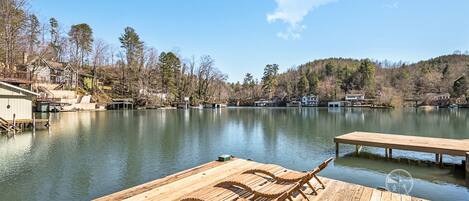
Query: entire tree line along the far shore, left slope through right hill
(137,70)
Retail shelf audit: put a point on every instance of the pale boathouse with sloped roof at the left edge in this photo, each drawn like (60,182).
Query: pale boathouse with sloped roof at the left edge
(15,102)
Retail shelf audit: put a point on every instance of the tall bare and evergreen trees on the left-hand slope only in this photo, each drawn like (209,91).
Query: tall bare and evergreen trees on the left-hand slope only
(133,70)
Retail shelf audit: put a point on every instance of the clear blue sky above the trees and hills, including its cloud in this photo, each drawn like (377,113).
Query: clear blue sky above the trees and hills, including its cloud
(245,35)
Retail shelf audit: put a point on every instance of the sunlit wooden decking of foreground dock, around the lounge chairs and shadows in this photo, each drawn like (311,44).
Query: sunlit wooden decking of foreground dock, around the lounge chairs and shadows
(200,180)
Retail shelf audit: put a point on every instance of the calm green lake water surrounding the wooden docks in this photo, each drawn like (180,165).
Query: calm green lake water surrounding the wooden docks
(86,155)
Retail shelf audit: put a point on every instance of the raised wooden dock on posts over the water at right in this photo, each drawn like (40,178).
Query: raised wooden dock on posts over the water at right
(438,146)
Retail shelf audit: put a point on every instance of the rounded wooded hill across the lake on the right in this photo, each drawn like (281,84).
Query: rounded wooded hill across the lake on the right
(388,83)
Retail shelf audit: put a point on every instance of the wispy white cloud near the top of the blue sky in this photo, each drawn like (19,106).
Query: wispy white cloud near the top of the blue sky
(292,12)
